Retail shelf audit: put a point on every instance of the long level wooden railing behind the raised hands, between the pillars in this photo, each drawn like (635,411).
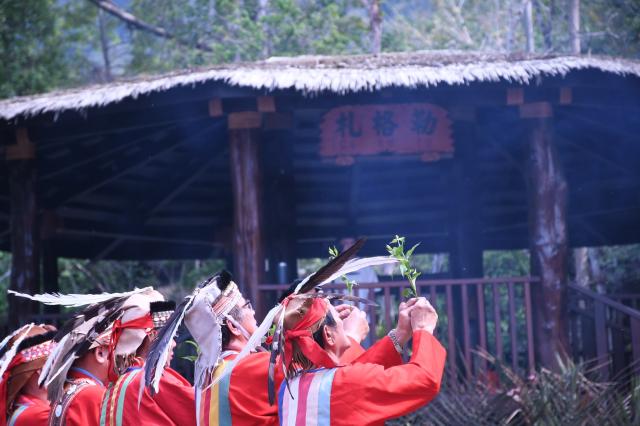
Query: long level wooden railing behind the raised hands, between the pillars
(486,314)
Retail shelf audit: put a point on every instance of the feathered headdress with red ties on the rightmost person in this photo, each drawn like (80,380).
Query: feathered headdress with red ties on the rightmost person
(340,265)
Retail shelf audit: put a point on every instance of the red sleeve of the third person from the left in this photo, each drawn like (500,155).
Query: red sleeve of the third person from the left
(176,398)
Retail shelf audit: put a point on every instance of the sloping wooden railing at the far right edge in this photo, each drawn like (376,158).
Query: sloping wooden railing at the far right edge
(604,330)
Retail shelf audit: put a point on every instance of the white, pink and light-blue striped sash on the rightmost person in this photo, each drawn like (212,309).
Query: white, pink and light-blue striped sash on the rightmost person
(309,402)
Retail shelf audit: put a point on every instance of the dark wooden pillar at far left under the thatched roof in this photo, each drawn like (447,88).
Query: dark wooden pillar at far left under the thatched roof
(24,230)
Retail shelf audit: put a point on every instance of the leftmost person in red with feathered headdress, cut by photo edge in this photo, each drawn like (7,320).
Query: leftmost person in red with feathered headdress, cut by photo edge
(23,402)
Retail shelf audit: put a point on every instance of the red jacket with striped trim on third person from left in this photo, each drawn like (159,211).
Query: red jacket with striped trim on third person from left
(173,405)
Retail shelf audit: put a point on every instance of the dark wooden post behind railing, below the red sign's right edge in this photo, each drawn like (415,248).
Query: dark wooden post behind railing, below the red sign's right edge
(465,237)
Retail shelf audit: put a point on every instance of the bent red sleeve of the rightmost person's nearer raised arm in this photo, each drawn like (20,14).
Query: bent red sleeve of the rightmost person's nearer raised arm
(368,394)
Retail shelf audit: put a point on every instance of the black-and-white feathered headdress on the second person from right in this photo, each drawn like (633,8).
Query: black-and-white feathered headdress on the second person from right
(203,311)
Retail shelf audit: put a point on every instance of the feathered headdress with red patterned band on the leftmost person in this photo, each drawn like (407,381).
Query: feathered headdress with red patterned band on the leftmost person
(21,354)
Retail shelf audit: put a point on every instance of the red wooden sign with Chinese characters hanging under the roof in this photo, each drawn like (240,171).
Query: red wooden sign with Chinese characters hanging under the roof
(416,128)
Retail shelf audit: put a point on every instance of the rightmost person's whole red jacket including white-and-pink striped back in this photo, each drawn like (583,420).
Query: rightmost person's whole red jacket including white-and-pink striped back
(365,393)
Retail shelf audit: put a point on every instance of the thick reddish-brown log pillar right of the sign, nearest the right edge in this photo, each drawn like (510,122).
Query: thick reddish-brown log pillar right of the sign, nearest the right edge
(547,190)
